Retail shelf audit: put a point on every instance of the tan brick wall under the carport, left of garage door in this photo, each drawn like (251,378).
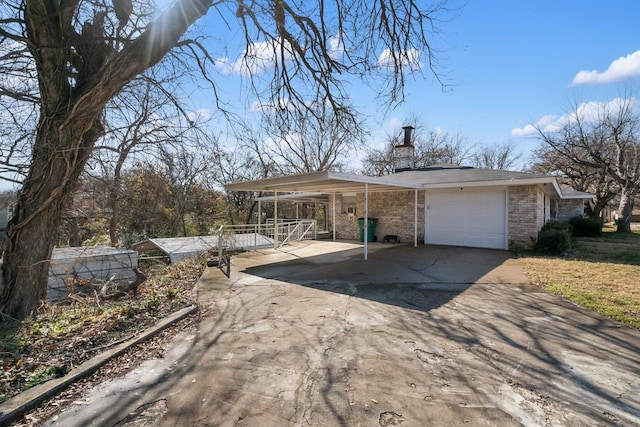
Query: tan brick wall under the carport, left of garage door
(394,211)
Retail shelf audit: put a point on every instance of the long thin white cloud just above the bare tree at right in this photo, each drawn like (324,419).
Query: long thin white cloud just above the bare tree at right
(587,111)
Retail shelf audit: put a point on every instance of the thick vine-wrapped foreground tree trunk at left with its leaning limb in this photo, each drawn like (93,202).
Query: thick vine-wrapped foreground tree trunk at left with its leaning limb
(70,108)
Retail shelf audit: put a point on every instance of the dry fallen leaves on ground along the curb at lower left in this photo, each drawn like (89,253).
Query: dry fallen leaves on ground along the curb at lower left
(69,334)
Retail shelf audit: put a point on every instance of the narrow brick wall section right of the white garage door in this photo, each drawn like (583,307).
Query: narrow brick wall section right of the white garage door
(526,215)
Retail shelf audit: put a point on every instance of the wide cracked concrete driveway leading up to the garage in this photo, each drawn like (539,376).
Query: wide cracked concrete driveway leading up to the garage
(315,336)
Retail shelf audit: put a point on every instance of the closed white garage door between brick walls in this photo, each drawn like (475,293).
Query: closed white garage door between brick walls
(475,218)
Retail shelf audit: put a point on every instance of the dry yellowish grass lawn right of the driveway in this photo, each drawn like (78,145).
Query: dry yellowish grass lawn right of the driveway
(601,273)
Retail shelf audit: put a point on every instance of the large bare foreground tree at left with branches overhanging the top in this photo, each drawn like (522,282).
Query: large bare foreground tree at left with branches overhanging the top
(85,53)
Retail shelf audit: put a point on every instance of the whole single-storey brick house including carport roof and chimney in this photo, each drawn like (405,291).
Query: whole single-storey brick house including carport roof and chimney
(441,204)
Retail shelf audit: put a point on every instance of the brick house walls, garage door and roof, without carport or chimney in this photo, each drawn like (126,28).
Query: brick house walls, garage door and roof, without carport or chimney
(462,206)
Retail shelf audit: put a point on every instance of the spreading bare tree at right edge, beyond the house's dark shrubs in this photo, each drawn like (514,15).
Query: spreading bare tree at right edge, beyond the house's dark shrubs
(601,142)
